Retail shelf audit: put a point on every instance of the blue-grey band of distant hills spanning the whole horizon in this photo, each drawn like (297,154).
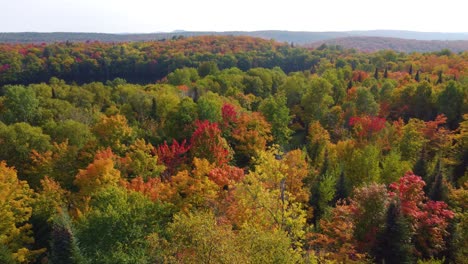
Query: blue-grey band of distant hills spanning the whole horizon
(363,40)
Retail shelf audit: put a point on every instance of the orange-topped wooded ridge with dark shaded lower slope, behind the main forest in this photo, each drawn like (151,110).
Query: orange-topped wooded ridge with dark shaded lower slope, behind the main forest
(142,62)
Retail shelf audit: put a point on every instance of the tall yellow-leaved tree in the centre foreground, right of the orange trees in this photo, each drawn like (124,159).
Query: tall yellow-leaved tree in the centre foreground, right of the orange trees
(262,200)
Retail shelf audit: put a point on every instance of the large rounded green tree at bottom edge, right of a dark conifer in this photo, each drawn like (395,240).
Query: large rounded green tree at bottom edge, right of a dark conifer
(116,229)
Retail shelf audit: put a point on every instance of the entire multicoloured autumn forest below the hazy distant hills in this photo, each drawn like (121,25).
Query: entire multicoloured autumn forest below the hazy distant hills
(231,150)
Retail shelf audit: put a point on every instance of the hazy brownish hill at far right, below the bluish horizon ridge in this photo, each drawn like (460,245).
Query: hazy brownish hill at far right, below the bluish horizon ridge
(404,45)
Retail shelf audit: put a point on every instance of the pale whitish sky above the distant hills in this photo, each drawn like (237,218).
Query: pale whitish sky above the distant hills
(146,16)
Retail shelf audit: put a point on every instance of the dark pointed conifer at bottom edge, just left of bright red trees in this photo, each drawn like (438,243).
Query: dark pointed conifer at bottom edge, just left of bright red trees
(394,243)
